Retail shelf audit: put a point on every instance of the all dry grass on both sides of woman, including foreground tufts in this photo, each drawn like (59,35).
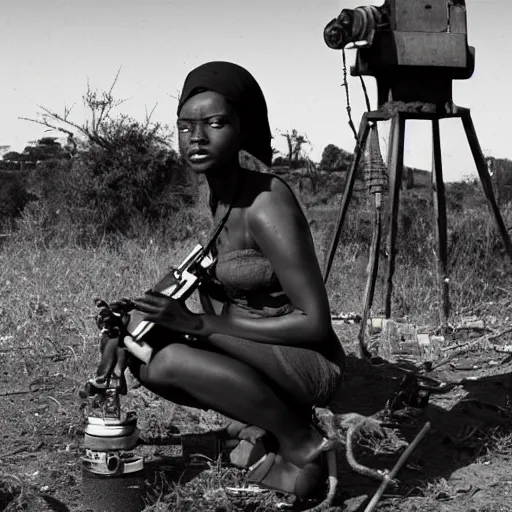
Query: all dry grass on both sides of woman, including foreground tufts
(47,310)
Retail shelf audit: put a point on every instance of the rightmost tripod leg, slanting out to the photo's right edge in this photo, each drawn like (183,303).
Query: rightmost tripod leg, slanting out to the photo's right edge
(485,178)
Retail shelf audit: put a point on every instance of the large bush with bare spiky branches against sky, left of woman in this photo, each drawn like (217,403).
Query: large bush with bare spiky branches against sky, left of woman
(123,173)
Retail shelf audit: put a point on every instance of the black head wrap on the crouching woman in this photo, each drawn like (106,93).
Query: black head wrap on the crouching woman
(238,86)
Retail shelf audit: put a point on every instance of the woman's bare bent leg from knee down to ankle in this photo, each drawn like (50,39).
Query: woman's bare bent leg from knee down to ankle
(232,388)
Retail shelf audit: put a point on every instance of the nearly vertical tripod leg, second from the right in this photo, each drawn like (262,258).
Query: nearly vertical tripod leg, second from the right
(440,213)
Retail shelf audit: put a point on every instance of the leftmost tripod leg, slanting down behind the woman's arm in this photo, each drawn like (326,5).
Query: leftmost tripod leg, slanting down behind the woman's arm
(362,137)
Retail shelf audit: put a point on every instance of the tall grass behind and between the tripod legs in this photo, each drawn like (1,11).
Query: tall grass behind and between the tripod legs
(478,268)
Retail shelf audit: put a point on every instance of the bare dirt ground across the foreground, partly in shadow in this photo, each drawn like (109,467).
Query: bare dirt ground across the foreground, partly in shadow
(463,464)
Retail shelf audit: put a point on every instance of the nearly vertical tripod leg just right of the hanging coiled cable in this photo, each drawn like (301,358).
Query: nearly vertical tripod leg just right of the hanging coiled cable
(396,168)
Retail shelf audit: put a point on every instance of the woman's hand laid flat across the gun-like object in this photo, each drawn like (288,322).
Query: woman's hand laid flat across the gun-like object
(169,313)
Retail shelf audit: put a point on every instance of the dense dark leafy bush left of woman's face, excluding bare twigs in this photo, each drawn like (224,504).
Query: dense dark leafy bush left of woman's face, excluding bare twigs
(129,184)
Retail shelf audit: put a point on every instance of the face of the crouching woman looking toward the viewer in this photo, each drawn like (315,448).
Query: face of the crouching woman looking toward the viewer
(209,132)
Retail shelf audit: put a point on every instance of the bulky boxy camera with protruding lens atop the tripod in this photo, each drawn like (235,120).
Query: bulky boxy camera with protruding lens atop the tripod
(414,48)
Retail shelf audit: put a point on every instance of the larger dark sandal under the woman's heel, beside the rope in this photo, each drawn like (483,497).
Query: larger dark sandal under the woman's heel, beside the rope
(274,472)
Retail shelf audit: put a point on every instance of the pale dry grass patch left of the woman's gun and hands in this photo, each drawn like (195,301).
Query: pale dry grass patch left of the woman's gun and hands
(47,308)
